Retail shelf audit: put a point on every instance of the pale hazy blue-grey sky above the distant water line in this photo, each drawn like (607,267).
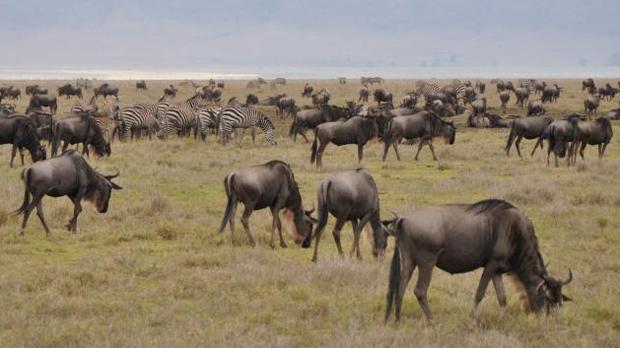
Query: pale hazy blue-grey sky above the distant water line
(169,34)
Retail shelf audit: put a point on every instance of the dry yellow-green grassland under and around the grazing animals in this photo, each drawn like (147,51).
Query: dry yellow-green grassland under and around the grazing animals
(154,272)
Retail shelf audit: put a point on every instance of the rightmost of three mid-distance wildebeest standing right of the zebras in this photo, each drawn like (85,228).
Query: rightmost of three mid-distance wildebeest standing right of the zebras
(423,125)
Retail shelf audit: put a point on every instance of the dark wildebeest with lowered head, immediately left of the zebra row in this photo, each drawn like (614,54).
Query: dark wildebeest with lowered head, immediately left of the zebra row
(80,129)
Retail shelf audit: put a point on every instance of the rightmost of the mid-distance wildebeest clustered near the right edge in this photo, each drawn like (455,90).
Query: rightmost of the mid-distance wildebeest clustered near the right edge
(598,132)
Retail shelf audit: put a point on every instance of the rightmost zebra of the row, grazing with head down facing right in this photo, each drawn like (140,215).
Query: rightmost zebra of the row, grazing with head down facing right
(233,117)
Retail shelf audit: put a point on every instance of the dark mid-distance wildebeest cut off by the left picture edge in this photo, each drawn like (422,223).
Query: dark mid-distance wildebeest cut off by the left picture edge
(21,132)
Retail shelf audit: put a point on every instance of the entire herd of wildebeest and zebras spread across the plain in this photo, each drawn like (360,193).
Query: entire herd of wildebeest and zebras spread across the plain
(491,234)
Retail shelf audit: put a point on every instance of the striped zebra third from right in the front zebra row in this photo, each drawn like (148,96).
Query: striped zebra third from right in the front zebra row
(181,118)
